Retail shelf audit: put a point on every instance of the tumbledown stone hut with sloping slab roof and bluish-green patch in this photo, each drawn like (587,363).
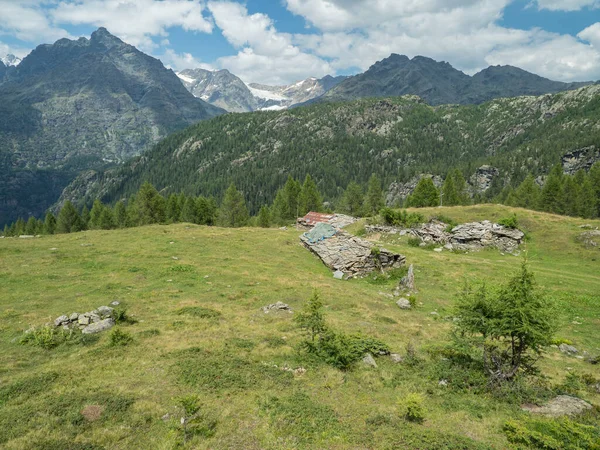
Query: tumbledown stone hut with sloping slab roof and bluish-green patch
(348,254)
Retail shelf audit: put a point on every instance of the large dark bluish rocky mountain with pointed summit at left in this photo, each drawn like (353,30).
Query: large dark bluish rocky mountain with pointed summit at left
(82,104)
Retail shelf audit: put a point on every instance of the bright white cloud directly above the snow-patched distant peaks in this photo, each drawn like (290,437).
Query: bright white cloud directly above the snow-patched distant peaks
(265,55)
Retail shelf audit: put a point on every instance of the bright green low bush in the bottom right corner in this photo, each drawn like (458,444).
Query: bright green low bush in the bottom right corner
(548,434)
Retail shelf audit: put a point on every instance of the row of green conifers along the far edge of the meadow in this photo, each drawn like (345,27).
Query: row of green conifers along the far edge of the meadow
(575,195)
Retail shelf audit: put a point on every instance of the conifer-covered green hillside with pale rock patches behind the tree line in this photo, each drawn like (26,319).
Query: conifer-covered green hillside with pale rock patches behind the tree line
(395,138)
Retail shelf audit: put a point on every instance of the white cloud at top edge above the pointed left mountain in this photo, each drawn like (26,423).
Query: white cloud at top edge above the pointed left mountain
(135,21)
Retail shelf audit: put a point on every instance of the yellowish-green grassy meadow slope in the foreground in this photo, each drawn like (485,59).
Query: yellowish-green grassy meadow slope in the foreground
(236,272)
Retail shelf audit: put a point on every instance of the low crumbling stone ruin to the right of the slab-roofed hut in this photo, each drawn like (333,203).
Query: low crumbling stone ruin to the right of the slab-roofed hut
(472,236)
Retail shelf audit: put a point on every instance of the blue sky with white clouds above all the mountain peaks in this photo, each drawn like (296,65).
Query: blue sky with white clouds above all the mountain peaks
(283,41)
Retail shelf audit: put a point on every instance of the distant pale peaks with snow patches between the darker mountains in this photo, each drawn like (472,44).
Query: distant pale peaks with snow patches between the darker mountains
(225,90)
